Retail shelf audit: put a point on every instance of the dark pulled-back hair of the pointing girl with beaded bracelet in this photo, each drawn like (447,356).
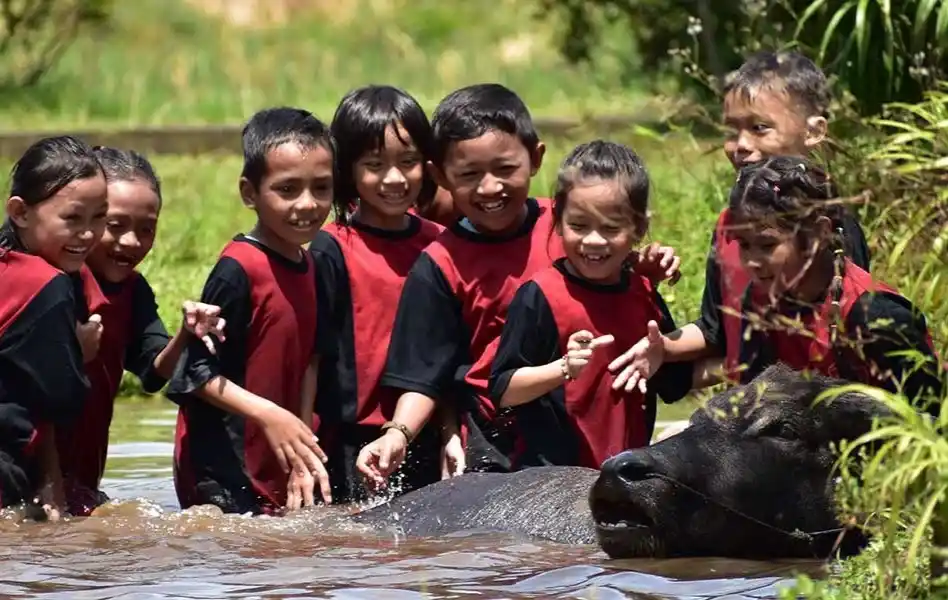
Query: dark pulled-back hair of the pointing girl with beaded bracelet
(607,161)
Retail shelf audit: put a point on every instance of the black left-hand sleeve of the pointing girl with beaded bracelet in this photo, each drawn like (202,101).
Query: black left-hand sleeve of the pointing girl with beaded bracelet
(529,339)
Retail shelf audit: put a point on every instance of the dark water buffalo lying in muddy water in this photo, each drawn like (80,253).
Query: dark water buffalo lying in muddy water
(751,477)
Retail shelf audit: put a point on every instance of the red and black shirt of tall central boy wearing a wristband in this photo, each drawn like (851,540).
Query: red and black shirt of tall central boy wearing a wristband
(453,307)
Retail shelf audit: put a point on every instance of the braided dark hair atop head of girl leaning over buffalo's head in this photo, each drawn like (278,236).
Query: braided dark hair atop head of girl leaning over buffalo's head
(789,192)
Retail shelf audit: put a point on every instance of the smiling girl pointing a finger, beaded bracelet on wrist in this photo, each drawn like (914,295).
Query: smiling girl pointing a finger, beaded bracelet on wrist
(563,323)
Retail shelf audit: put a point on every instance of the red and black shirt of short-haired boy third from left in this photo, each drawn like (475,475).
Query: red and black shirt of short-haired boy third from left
(268,302)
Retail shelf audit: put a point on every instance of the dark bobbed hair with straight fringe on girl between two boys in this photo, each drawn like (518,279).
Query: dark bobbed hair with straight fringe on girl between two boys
(359,127)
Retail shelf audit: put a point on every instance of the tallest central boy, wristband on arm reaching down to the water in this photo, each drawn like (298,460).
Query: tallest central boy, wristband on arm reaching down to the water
(454,301)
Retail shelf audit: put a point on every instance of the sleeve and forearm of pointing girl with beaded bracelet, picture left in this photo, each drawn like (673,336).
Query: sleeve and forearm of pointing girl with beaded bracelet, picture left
(528,363)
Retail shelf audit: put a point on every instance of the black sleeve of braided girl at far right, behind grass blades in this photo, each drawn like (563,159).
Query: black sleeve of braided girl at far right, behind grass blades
(891,324)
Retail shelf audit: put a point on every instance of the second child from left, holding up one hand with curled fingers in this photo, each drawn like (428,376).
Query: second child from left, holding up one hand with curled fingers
(133,336)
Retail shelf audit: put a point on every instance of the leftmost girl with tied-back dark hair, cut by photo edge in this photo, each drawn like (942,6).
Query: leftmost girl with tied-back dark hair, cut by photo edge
(55,214)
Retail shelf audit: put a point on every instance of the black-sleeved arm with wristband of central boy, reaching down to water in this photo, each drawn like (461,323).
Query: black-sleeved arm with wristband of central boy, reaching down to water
(427,345)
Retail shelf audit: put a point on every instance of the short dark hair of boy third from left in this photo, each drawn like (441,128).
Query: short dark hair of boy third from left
(272,127)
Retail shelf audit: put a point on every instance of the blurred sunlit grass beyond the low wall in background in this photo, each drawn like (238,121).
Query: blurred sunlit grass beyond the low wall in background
(165,62)
